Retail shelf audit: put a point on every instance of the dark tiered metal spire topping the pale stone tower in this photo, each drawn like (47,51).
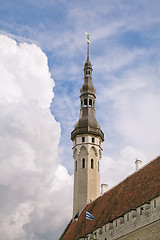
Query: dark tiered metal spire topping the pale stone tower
(87,122)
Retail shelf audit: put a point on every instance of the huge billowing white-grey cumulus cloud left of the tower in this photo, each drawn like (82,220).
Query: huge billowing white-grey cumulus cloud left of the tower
(32,180)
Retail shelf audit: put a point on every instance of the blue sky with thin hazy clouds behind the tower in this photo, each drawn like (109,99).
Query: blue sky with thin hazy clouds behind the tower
(125,53)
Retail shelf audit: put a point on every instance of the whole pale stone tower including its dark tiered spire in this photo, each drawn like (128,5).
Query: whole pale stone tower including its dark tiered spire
(87,138)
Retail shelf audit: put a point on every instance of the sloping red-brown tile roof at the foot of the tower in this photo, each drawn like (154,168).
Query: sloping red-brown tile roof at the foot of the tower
(135,190)
